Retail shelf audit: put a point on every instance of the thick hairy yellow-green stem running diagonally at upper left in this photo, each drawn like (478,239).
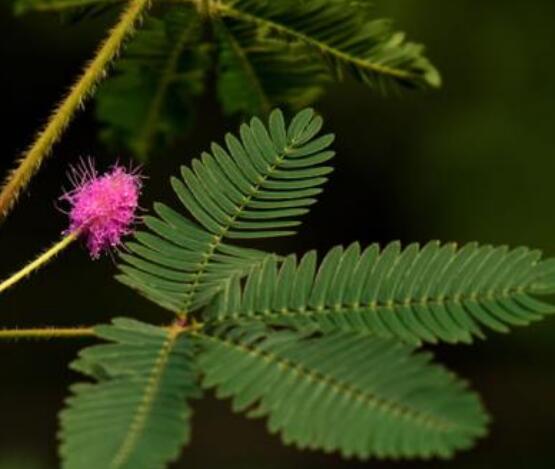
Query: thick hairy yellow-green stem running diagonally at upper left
(62,115)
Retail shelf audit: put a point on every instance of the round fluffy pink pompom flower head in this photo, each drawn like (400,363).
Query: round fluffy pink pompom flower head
(102,207)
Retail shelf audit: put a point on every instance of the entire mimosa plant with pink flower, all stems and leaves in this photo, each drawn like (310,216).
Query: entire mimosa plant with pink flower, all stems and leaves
(327,348)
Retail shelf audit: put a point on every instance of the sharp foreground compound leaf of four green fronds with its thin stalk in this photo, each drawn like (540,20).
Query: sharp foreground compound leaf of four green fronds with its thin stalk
(327,350)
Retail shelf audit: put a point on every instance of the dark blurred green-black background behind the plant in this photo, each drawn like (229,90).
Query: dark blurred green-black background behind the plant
(472,161)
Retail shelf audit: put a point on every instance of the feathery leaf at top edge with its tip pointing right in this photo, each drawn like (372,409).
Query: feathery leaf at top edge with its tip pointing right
(345,35)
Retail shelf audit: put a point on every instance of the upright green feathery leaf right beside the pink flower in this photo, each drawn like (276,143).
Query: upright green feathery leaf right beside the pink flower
(257,187)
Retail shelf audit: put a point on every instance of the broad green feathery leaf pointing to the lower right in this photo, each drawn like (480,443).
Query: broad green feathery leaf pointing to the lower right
(355,394)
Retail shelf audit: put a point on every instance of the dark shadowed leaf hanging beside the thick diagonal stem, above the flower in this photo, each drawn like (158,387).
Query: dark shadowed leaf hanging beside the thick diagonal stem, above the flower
(149,101)
